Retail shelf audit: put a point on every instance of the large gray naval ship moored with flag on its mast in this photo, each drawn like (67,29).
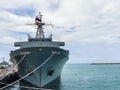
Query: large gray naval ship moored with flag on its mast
(40,60)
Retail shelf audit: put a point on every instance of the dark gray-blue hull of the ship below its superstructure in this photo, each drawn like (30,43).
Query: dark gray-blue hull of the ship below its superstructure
(50,61)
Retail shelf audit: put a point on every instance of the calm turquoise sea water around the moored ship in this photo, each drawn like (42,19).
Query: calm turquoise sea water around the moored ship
(86,77)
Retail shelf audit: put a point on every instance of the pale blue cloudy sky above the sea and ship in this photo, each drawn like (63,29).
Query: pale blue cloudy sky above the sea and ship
(89,28)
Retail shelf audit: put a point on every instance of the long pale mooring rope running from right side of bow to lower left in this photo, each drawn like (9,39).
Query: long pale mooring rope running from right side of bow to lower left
(29,73)
